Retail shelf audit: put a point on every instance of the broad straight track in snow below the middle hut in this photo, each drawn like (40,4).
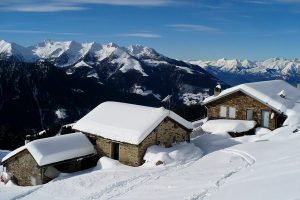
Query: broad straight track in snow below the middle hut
(119,188)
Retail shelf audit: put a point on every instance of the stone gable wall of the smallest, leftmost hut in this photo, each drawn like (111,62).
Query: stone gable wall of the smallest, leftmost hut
(24,169)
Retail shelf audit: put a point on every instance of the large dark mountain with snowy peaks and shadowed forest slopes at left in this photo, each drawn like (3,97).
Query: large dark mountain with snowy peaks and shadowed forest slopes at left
(59,82)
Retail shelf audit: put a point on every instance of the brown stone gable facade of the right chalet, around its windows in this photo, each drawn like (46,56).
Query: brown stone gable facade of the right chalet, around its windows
(241,102)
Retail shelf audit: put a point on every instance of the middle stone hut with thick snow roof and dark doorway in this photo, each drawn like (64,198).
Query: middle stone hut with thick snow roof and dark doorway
(124,131)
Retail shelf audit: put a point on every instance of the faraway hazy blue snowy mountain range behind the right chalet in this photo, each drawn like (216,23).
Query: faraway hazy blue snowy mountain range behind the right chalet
(233,71)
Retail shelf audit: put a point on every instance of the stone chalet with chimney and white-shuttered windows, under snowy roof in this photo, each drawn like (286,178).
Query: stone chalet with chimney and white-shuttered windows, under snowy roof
(265,102)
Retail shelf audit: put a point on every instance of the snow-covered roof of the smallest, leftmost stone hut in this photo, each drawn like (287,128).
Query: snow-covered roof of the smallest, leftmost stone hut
(55,149)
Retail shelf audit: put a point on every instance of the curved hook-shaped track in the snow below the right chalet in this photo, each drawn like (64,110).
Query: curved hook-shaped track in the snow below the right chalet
(247,158)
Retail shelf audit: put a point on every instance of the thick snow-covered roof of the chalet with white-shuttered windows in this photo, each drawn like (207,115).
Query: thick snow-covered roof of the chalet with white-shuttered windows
(267,93)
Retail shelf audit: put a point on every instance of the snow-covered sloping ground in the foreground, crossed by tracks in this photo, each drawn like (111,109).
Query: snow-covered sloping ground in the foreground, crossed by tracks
(262,166)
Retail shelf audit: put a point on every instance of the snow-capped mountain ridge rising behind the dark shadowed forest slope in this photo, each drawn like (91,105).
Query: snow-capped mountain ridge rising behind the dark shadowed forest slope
(133,69)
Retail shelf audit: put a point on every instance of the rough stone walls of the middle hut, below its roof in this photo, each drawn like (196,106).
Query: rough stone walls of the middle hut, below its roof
(166,133)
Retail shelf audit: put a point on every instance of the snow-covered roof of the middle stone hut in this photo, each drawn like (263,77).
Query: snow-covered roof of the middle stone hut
(125,122)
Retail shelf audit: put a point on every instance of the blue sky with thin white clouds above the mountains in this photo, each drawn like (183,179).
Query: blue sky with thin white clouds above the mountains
(187,29)
